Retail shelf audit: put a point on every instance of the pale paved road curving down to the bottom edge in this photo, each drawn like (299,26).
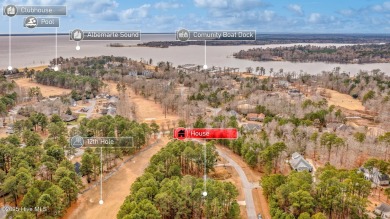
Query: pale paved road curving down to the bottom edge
(247,186)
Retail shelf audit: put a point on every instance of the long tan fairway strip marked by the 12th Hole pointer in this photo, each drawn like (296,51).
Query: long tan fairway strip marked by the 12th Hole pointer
(115,189)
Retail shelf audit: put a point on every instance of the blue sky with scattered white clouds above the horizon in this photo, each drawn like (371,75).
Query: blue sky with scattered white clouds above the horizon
(265,16)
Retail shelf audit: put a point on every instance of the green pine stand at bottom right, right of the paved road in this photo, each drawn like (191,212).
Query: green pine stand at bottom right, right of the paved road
(337,194)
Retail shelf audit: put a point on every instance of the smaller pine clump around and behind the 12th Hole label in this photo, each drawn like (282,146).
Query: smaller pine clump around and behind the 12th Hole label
(107,126)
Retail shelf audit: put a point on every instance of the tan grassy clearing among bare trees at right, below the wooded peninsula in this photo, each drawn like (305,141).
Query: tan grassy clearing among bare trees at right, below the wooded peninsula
(343,100)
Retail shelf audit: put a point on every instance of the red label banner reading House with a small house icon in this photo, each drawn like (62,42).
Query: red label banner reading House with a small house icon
(205,133)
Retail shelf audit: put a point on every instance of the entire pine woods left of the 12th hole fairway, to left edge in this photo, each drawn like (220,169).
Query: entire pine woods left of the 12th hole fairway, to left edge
(36,172)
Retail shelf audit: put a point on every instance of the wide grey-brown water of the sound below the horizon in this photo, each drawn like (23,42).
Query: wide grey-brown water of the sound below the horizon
(216,56)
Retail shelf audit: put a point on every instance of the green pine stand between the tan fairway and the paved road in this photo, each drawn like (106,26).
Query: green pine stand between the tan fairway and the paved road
(166,190)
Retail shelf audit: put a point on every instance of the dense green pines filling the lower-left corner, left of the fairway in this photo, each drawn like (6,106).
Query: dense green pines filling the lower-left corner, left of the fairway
(36,174)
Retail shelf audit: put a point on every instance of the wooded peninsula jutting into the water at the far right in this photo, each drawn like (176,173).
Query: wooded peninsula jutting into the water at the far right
(372,53)
